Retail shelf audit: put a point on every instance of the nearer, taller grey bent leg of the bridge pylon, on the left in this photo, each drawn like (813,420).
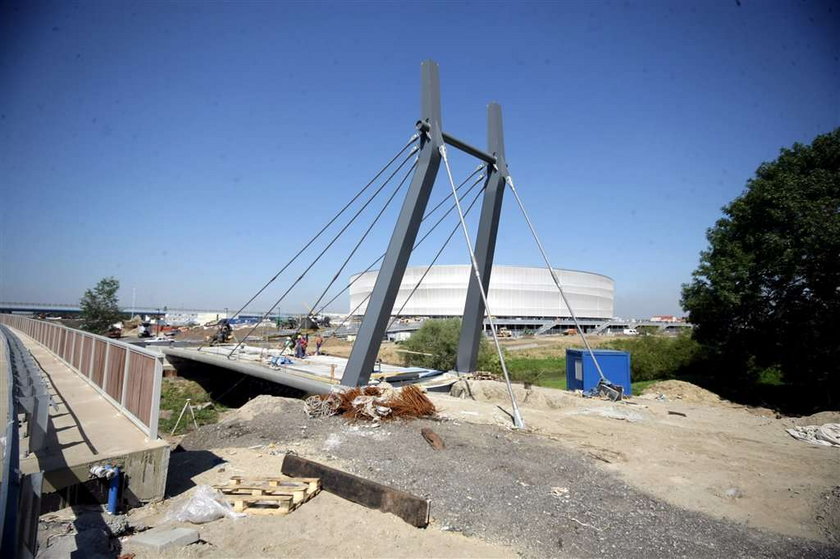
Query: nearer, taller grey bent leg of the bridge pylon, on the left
(363,356)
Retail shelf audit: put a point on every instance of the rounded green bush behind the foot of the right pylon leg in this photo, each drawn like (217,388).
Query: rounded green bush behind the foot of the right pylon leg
(439,340)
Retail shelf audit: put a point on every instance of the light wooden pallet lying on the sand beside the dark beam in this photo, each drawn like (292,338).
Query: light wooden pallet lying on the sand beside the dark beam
(269,495)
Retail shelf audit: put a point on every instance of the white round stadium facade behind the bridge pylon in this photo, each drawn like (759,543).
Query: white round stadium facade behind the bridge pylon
(520,296)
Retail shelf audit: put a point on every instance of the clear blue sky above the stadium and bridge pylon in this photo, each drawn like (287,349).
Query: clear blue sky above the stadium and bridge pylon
(189,149)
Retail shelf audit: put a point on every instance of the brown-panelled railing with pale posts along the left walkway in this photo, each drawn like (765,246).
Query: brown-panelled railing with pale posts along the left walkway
(127,376)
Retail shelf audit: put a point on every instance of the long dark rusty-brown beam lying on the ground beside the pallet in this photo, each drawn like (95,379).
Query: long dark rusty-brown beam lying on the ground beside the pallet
(410,508)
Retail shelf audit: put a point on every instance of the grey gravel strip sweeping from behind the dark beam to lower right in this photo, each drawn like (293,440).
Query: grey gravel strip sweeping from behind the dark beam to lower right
(513,488)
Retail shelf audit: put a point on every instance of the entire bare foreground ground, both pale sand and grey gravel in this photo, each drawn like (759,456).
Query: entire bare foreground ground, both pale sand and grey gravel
(587,478)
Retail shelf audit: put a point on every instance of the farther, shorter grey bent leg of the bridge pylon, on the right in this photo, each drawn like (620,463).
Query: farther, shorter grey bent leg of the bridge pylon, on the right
(472,327)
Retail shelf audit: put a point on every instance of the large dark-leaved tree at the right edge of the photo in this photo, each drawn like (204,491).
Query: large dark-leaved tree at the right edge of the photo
(766,294)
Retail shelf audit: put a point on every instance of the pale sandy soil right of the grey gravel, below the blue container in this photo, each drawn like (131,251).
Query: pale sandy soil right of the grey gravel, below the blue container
(711,456)
